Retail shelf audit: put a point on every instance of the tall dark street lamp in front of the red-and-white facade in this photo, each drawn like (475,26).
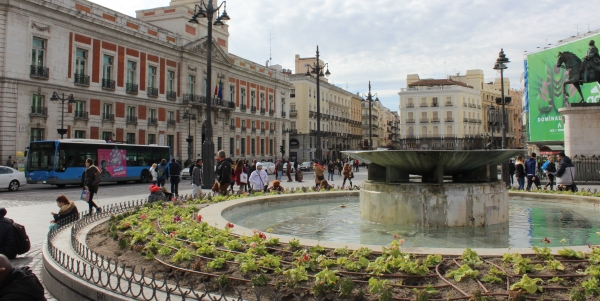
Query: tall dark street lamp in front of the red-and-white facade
(208,147)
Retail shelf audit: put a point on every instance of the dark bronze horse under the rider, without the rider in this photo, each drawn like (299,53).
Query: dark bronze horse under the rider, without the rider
(573,65)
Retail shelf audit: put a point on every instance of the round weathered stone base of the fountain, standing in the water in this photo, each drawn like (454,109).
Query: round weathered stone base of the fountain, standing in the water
(434,205)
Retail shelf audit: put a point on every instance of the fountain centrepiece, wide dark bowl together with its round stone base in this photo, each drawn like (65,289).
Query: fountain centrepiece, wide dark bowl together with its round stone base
(458,188)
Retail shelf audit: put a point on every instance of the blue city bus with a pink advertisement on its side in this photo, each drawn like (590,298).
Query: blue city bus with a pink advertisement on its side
(62,162)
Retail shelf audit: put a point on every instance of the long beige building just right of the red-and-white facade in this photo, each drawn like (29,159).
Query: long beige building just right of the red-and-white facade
(340,116)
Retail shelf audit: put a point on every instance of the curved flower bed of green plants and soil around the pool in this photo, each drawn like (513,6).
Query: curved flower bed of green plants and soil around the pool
(177,246)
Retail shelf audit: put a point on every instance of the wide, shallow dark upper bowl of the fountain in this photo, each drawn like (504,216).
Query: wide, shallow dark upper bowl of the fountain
(419,162)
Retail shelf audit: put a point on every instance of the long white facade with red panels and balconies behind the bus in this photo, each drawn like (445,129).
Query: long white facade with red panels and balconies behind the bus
(134,80)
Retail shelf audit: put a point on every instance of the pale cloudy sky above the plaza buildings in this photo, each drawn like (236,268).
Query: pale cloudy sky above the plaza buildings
(383,41)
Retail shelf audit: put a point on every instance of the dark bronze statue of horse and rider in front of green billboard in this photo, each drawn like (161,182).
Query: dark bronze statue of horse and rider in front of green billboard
(580,72)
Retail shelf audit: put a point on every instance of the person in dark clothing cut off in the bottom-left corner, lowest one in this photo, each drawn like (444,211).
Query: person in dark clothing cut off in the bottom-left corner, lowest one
(19,283)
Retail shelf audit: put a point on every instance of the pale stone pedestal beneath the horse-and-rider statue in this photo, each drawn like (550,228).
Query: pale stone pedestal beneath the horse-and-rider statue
(582,122)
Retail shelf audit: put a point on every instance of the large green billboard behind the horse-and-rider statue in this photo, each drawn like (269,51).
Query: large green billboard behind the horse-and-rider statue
(545,90)
